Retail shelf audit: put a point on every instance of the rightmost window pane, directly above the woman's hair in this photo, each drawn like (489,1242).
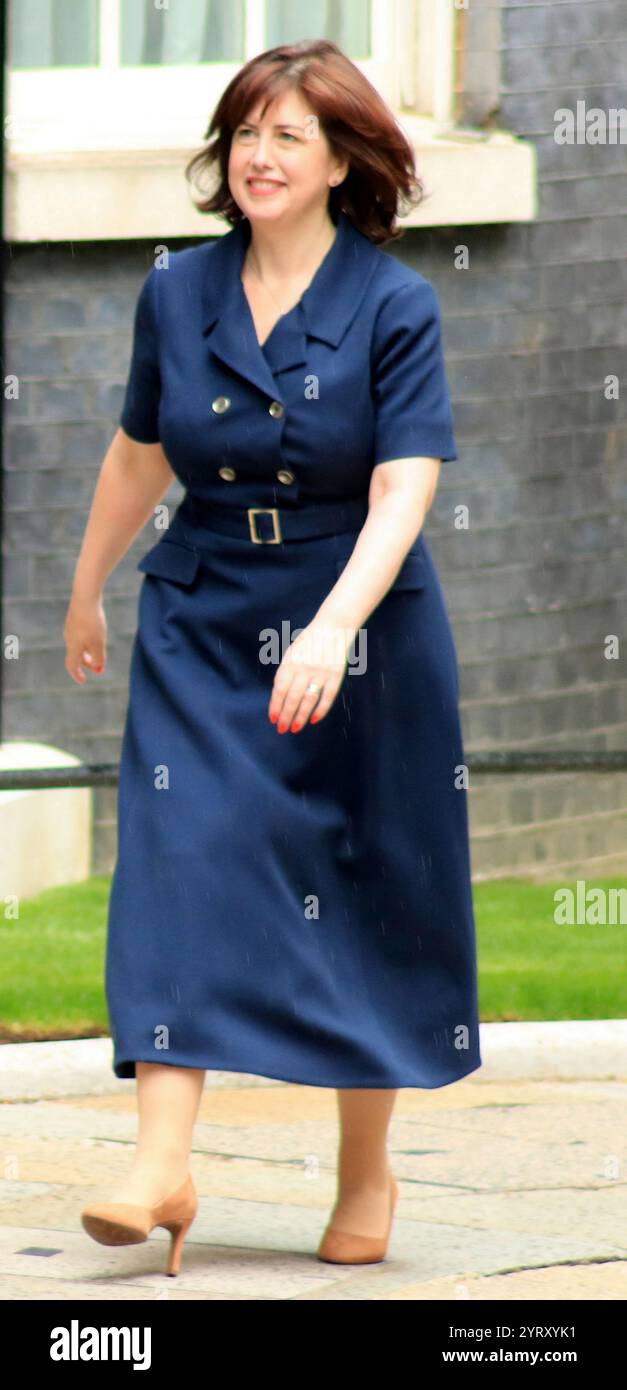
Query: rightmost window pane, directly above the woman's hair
(344,22)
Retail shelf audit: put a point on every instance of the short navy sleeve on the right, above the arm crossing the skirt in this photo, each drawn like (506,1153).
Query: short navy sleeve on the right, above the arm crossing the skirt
(412,402)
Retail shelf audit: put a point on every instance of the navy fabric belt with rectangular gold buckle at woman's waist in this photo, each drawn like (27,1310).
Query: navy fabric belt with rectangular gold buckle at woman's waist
(272,526)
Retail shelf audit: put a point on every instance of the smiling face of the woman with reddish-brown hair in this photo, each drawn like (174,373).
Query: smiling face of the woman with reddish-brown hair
(282,165)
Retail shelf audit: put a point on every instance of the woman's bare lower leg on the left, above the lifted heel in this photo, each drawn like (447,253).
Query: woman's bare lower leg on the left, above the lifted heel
(169,1099)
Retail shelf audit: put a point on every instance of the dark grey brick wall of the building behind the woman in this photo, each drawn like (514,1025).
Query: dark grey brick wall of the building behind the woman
(532,330)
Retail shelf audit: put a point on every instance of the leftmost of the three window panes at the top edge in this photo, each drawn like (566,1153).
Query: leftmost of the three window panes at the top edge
(52,34)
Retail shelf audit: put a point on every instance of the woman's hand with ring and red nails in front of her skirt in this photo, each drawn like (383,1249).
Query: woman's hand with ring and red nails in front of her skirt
(318,657)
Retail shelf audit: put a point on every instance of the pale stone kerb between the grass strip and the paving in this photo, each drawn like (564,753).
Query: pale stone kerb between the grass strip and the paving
(567,1052)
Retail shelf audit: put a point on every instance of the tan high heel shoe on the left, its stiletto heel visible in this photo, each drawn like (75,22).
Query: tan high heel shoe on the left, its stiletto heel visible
(126,1224)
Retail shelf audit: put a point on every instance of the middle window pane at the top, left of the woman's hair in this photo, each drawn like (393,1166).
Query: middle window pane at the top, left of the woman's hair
(188,31)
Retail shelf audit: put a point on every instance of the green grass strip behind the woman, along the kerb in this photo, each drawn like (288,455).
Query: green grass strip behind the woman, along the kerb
(530,968)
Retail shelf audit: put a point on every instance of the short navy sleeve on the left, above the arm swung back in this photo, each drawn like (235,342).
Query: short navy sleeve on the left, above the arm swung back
(140,415)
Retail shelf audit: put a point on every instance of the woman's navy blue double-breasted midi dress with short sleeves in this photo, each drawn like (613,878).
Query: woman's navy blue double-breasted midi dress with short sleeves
(297,907)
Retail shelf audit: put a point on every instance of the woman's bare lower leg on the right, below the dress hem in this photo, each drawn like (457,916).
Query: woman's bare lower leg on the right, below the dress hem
(364,1166)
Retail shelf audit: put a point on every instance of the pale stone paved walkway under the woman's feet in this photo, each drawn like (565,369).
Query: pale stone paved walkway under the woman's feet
(510,1191)
